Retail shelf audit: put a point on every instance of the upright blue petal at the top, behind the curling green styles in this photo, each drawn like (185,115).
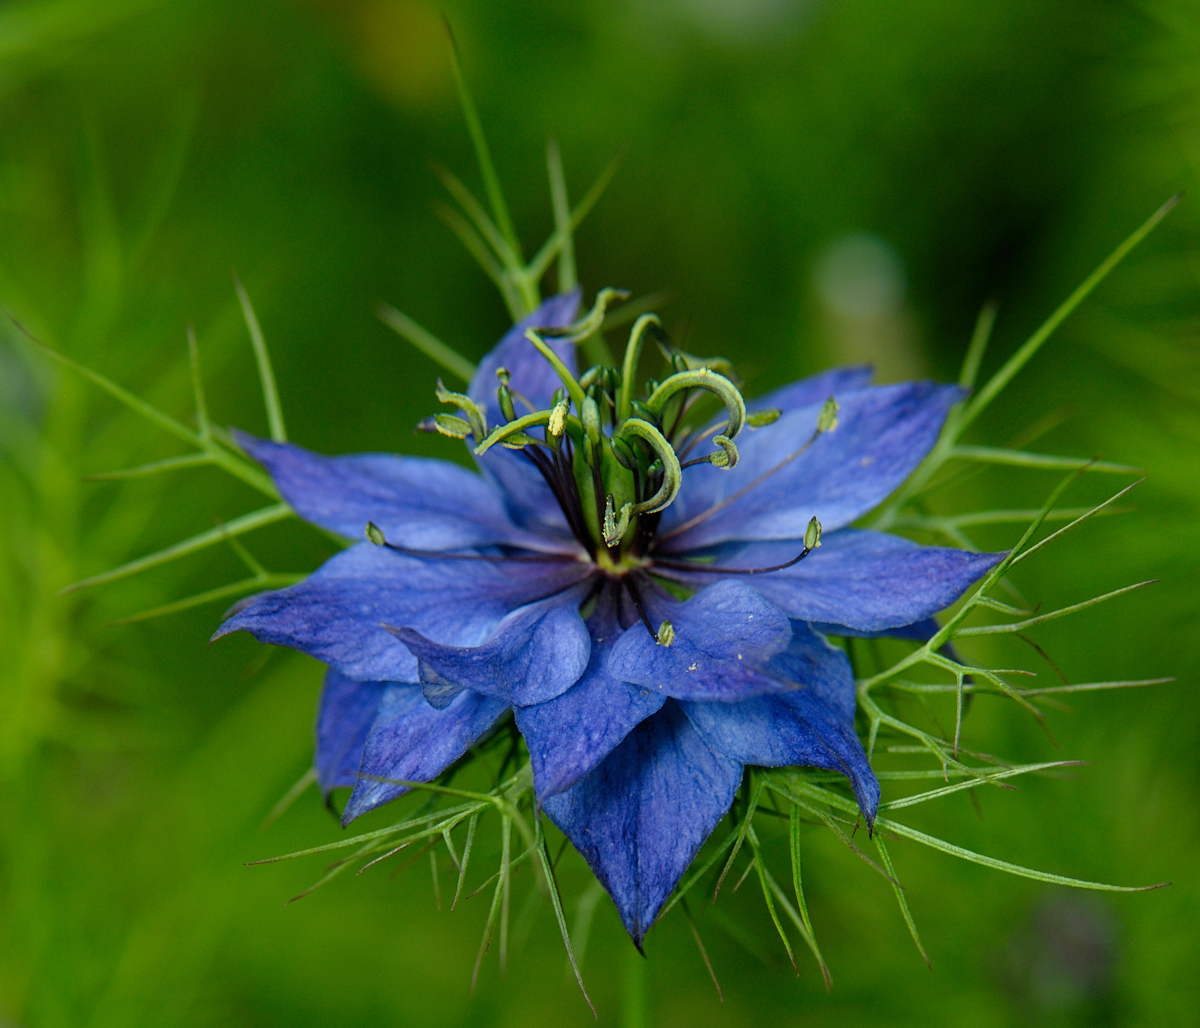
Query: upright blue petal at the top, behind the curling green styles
(530,501)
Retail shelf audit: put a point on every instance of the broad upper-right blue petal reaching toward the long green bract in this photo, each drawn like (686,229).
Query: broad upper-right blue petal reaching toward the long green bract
(883,435)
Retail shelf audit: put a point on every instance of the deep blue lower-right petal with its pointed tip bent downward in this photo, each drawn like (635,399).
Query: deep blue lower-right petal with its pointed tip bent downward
(811,726)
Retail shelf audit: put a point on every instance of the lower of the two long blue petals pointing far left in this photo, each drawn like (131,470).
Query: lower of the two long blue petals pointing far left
(338,615)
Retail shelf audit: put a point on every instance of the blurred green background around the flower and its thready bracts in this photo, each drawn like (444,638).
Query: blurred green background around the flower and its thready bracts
(813,182)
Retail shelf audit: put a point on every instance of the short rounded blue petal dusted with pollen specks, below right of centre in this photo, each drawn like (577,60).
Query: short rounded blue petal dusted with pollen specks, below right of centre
(725,635)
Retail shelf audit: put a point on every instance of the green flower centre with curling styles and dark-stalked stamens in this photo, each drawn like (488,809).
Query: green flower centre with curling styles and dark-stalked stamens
(614,456)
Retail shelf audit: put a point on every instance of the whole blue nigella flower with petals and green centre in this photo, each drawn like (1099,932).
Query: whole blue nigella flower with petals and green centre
(651,599)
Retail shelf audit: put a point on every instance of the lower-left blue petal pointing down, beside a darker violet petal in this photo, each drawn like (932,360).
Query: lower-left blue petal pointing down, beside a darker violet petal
(412,742)
